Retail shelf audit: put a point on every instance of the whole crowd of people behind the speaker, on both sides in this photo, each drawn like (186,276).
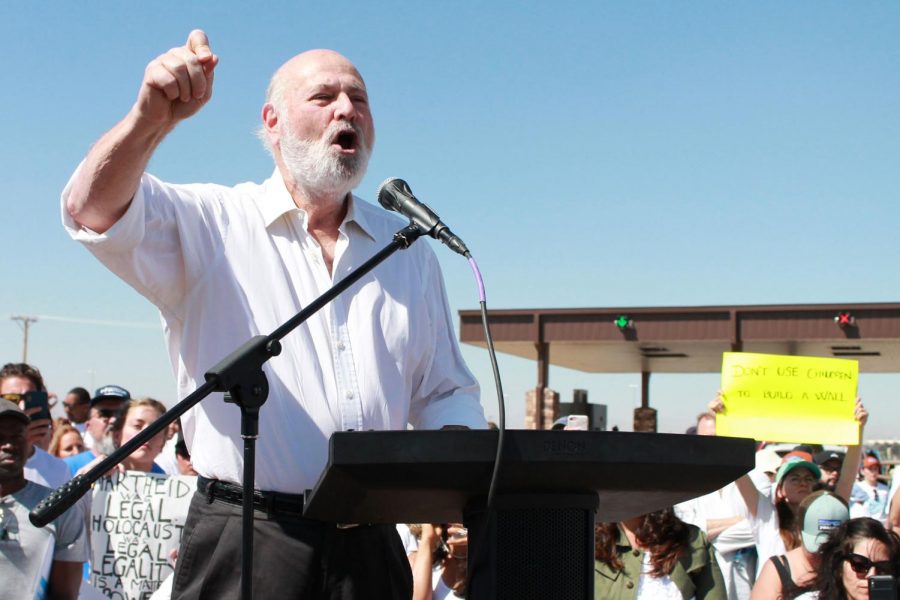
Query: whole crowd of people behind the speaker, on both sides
(813,523)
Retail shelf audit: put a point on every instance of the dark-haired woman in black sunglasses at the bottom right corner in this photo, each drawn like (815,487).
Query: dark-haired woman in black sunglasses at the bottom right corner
(854,552)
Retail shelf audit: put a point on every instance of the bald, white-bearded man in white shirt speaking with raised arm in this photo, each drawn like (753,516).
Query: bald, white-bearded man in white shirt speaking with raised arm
(223,264)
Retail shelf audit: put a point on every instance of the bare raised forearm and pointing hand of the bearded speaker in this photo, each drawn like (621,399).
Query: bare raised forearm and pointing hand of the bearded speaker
(175,86)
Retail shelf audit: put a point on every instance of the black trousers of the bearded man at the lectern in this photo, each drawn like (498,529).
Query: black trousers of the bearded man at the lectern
(293,558)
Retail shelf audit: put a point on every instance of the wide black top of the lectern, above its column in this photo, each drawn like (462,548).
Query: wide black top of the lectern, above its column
(429,476)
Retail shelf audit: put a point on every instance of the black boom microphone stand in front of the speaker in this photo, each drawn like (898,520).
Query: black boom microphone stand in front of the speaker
(240,375)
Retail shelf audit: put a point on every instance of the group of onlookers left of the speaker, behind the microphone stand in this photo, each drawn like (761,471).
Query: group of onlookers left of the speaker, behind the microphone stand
(38,455)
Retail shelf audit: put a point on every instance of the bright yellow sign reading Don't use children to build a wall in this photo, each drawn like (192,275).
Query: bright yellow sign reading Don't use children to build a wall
(789,398)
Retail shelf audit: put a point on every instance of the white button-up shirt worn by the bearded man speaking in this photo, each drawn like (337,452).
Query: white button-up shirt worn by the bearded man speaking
(224,264)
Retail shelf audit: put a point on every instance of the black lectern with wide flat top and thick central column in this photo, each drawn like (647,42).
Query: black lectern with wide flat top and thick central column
(553,485)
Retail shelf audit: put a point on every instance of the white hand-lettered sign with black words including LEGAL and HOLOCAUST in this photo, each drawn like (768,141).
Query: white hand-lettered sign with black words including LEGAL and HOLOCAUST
(136,520)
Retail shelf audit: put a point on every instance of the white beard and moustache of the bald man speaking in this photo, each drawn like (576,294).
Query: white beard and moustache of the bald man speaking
(317,168)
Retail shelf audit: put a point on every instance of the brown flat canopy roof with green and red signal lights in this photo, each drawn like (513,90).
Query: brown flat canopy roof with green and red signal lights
(690,339)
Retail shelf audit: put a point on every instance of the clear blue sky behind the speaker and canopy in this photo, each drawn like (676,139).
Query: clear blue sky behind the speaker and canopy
(590,154)
